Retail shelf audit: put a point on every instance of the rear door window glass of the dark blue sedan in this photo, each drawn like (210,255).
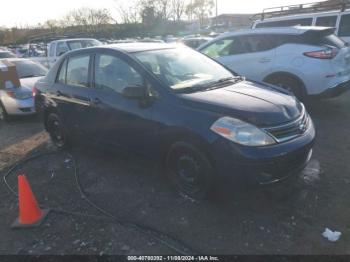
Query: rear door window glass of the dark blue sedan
(78,71)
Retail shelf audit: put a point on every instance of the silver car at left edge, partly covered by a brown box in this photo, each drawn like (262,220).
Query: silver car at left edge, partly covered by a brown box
(20,101)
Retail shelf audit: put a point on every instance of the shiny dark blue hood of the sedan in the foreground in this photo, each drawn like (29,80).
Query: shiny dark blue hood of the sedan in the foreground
(256,103)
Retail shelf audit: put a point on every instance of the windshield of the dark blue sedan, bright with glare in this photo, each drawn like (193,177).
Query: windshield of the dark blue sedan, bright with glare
(182,68)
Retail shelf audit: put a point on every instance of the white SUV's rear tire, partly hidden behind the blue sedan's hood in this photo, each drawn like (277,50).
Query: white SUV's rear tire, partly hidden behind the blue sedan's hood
(289,83)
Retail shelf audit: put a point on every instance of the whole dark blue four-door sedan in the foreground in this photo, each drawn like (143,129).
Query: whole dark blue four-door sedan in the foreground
(176,105)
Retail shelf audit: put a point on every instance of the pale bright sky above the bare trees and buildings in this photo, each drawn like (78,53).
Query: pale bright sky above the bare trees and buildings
(32,12)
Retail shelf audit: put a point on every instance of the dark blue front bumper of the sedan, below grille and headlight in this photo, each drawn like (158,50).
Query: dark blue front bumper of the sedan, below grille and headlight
(263,165)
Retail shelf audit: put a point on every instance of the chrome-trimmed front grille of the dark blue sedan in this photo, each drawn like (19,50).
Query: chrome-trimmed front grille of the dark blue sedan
(290,130)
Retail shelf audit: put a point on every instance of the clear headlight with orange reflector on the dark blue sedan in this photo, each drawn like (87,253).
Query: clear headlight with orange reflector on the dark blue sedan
(241,132)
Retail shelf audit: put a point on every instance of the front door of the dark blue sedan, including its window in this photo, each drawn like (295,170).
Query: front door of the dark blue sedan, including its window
(124,123)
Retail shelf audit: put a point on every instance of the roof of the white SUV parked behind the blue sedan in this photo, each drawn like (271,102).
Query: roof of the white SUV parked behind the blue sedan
(294,30)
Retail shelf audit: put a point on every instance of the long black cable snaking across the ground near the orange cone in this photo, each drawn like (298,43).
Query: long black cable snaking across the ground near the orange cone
(155,234)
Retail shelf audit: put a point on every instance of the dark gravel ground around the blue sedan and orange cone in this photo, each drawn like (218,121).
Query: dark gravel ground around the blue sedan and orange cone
(279,220)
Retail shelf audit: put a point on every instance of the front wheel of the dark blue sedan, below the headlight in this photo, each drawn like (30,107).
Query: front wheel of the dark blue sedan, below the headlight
(189,170)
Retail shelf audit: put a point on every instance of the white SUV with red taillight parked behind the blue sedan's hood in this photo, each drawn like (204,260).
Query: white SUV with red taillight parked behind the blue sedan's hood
(304,60)
